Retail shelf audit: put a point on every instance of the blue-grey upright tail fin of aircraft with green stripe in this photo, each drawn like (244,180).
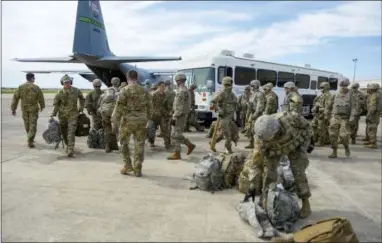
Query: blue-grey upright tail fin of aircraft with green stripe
(90,34)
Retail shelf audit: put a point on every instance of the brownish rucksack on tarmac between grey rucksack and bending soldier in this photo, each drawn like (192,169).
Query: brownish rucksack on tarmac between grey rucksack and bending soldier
(231,166)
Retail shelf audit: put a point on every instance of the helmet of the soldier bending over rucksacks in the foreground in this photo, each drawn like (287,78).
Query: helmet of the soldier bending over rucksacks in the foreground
(266,127)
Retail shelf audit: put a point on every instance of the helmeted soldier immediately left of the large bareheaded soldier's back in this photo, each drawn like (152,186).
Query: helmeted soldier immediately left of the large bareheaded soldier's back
(106,105)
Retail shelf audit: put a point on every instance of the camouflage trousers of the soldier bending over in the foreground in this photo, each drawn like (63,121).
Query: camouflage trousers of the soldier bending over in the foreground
(263,171)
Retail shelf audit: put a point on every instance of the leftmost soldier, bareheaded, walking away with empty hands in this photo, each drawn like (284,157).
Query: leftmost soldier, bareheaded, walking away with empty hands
(31,98)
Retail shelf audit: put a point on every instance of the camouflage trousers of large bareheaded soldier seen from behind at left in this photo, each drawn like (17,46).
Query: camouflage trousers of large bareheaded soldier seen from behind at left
(139,133)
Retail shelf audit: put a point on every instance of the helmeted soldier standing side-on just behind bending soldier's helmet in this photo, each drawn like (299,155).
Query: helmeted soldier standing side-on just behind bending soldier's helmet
(255,110)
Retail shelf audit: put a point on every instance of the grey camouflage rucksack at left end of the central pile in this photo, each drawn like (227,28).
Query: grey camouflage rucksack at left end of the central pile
(208,175)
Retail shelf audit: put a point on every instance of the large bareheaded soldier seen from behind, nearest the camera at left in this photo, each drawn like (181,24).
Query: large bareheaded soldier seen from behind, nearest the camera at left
(132,111)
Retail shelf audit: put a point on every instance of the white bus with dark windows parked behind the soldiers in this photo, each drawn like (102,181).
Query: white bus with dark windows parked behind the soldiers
(243,70)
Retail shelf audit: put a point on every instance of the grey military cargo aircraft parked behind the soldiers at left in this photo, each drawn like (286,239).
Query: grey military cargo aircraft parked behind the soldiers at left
(91,47)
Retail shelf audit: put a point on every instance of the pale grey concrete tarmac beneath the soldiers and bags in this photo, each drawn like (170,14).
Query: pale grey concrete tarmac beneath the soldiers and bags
(49,197)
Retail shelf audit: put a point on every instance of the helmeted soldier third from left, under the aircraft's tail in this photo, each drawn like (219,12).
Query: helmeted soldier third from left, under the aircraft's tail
(91,104)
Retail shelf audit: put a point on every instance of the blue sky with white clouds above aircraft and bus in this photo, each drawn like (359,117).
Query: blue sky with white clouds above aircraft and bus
(326,35)
